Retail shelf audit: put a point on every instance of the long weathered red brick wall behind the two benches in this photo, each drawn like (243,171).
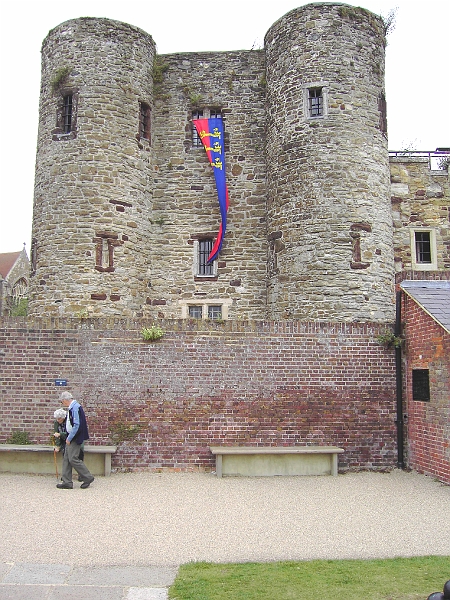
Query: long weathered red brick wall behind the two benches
(204,384)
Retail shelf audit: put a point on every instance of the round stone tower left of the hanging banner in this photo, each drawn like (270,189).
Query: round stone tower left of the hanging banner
(92,186)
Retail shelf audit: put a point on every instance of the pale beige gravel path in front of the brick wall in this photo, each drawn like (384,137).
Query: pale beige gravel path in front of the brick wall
(168,519)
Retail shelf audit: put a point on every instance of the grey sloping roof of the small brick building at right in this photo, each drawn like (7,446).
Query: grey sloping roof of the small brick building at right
(433,297)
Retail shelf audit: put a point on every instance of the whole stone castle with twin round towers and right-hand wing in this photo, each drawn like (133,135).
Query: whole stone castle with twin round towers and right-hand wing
(321,219)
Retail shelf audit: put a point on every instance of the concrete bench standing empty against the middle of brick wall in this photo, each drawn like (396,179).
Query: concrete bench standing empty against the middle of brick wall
(257,461)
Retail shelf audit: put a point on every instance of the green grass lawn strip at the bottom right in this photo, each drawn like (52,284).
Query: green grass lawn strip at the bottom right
(391,579)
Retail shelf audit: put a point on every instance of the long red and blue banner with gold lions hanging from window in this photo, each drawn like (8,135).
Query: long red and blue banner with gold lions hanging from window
(210,132)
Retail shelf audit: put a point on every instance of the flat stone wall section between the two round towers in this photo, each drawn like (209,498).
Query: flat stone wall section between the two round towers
(185,205)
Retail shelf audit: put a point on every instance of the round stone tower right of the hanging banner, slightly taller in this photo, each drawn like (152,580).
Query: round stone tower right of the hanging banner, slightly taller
(329,220)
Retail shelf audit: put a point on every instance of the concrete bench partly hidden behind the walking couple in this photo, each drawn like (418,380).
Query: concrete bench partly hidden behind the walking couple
(37,458)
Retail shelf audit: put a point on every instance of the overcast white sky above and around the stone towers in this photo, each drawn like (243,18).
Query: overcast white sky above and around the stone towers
(417,72)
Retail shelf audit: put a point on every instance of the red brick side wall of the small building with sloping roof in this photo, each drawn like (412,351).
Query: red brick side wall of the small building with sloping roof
(427,347)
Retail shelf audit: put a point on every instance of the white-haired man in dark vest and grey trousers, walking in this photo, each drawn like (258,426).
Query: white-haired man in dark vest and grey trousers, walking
(77,431)
